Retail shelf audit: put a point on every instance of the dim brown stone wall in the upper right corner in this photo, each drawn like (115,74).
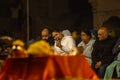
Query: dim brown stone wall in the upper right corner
(103,9)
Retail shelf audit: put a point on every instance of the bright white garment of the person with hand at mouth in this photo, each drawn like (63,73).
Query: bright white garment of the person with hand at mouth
(67,43)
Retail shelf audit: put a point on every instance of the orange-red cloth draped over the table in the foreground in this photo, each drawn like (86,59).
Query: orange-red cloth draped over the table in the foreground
(48,68)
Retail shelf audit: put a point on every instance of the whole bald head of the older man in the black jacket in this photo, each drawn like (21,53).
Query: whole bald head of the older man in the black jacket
(102,33)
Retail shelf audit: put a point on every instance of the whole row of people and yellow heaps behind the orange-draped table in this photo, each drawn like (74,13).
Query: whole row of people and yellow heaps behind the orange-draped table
(98,46)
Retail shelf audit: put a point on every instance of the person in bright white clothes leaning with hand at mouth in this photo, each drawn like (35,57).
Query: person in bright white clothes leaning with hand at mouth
(64,43)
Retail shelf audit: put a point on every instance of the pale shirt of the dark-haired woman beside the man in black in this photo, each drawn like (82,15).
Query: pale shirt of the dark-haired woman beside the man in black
(88,48)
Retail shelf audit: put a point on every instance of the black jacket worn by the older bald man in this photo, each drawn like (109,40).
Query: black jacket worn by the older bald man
(102,51)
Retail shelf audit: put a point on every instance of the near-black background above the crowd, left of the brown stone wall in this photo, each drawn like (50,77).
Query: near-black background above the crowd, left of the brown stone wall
(71,14)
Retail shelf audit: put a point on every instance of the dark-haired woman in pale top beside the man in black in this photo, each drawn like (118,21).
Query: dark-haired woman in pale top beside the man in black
(87,44)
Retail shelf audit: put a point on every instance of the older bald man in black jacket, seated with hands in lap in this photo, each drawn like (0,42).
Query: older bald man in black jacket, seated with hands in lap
(102,51)
